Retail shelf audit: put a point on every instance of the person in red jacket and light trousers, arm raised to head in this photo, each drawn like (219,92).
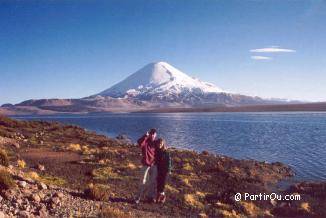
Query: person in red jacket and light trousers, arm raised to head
(149,146)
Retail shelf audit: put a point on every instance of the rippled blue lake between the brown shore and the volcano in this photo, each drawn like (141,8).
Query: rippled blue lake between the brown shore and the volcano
(295,138)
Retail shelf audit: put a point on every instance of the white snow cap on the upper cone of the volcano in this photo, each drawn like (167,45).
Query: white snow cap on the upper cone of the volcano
(159,79)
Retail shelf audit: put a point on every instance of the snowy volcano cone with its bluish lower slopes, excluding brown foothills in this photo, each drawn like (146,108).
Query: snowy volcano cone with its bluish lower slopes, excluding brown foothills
(165,86)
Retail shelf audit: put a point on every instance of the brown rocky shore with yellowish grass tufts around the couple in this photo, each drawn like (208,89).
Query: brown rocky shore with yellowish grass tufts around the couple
(54,170)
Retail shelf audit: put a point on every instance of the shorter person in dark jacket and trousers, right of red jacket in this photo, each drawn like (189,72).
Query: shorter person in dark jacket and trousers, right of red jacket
(164,166)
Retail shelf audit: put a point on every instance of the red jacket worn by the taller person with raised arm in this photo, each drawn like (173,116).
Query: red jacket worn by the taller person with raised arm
(148,150)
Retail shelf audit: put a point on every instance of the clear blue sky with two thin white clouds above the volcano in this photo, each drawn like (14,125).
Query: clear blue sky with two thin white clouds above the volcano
(75,48)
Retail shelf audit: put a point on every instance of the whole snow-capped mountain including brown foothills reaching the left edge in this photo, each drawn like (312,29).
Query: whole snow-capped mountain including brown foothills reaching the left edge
(157,85)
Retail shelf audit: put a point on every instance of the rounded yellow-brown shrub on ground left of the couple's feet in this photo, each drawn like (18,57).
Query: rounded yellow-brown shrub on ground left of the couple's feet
(98,192)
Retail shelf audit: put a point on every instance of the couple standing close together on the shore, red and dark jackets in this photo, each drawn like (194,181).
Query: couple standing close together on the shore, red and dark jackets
(156,161)
